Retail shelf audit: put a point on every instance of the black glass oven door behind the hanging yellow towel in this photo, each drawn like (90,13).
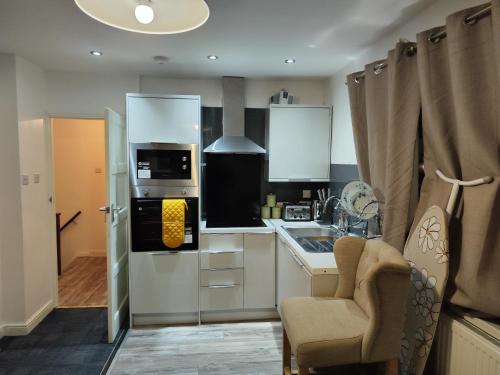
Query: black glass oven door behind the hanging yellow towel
(146,225)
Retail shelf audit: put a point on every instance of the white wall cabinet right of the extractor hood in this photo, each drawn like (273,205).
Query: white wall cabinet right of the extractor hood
(299,138)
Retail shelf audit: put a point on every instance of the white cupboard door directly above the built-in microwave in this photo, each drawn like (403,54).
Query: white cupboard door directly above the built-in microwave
(163,119)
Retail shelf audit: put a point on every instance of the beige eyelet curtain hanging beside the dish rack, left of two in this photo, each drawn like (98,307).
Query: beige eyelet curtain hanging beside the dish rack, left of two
(385,107)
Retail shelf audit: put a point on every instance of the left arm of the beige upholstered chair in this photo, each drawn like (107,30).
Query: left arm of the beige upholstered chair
(347,252)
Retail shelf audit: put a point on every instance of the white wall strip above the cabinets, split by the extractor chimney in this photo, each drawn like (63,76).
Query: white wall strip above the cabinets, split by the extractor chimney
(257,91)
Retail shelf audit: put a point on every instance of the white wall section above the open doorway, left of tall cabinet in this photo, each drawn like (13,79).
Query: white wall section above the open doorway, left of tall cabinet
(86,94)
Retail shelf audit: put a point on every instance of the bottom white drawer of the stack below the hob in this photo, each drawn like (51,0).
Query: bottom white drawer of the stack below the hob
(221,297)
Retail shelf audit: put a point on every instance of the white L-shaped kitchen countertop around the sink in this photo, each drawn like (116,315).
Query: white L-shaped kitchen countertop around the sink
(316,263)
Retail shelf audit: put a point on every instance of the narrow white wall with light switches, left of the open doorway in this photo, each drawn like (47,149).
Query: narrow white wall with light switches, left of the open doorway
(39,270)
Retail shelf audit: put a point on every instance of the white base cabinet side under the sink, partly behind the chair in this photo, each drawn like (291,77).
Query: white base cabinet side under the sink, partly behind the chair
(293,279)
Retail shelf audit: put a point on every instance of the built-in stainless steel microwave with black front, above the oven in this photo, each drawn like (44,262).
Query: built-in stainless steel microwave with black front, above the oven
(163,164)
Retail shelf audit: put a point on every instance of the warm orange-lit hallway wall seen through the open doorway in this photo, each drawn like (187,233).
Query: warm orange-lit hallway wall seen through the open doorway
(80,185)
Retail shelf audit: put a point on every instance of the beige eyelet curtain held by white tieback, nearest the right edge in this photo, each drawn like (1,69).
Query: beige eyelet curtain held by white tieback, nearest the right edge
(459,77)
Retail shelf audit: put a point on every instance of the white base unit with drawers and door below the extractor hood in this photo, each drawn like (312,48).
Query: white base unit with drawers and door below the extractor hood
(237,272)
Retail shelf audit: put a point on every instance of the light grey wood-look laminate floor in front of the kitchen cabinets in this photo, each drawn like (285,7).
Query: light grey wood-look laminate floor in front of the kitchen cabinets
(217,349)
